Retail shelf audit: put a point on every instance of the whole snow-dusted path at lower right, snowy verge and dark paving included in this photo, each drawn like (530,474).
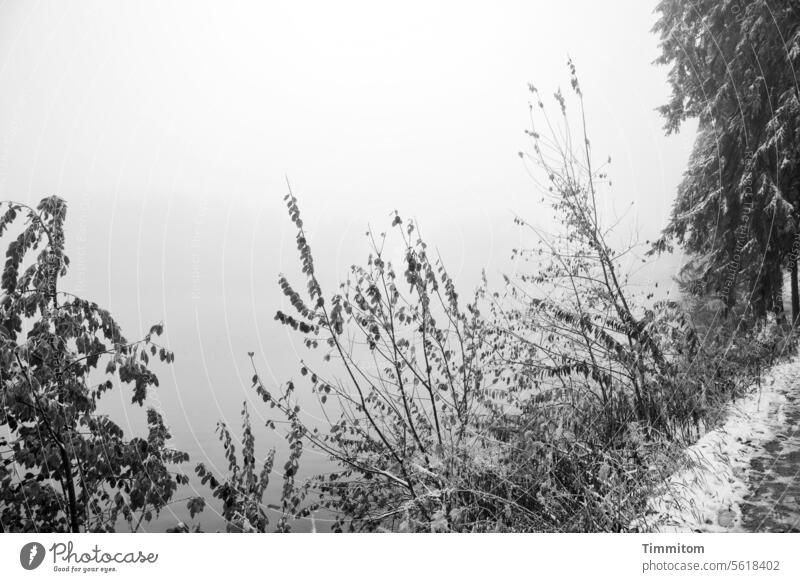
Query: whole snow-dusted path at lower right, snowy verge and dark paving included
(745,475)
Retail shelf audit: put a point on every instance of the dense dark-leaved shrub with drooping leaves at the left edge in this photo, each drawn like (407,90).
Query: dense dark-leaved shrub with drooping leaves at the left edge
(64,466)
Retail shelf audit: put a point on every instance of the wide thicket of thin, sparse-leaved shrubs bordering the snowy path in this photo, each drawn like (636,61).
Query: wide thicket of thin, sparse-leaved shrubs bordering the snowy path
(553,406)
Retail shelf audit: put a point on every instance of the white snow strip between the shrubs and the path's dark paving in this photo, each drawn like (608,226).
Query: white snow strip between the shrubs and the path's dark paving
(706,494)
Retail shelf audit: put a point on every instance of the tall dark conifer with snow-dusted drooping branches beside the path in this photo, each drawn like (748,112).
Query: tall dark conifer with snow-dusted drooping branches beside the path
(733,67)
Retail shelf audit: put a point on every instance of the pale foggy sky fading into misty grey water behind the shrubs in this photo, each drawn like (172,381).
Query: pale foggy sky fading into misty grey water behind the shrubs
(170,129)
